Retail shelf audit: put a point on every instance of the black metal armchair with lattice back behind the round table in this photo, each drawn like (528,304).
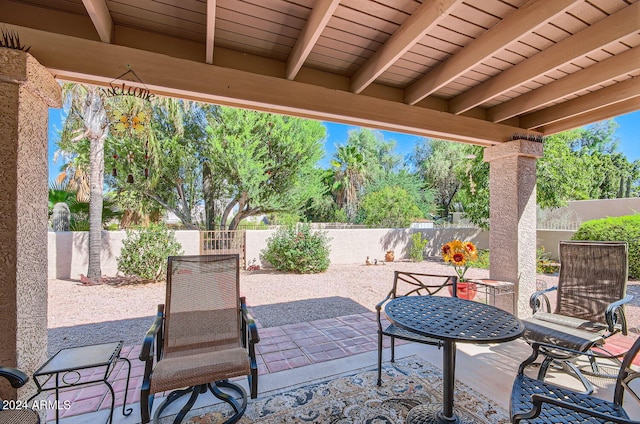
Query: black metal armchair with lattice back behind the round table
(410,284)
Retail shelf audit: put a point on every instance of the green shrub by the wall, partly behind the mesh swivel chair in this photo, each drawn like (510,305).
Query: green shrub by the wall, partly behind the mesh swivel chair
(145,251)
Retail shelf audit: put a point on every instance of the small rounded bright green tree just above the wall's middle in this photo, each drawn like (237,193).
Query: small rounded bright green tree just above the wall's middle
(391,207)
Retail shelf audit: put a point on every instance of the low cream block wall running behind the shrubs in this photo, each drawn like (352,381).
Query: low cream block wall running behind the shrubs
(68,251)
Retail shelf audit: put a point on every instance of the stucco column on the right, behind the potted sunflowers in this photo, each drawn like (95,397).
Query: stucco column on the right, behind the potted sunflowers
(512,237)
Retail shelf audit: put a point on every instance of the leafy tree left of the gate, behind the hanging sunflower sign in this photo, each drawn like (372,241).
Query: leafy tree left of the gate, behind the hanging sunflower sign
(160,167)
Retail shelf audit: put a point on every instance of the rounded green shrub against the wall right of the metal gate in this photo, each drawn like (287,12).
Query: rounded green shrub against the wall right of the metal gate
(299,250)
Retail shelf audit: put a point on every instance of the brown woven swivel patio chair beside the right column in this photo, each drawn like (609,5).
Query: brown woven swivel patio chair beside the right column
(591,294)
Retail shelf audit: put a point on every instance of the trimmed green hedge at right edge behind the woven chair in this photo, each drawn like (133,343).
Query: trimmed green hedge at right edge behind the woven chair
(619,228)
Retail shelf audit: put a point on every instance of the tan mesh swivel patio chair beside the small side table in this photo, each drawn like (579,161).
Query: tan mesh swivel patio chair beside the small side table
(203,336)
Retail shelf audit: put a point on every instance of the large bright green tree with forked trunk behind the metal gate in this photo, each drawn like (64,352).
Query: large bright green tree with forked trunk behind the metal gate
(262,163)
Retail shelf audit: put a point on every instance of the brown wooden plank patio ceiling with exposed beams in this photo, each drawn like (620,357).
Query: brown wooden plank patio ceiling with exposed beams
(476,71)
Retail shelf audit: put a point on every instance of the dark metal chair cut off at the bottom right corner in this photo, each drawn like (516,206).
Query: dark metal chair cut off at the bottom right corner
(535,401)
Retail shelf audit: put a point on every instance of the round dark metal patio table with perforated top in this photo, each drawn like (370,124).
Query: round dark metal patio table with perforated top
(451,320)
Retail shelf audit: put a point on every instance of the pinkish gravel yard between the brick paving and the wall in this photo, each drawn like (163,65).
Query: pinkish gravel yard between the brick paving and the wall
(81,314)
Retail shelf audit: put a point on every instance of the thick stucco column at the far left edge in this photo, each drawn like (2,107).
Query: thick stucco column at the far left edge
(27,90)
